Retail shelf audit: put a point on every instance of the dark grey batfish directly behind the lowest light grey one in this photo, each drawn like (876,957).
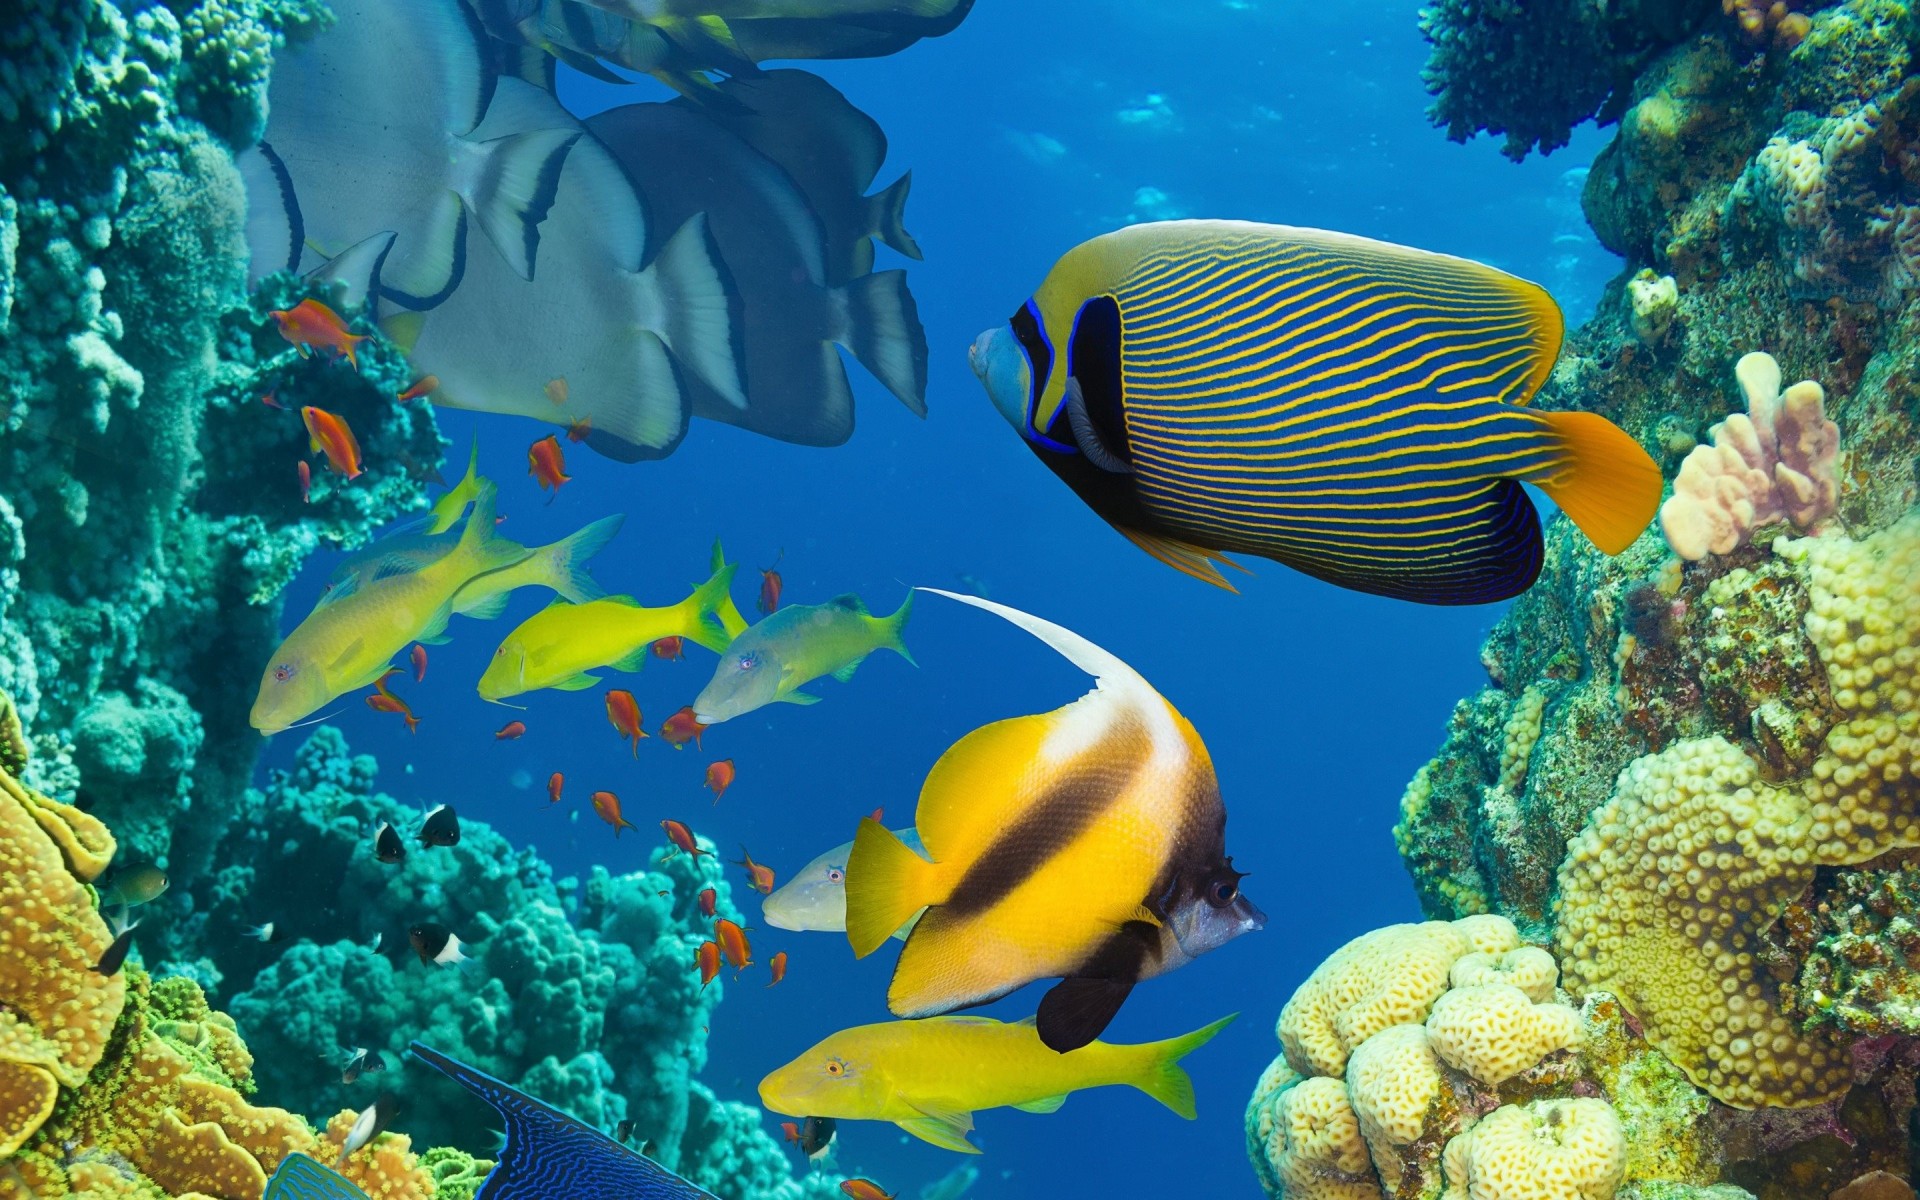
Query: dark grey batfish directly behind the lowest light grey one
(792,318)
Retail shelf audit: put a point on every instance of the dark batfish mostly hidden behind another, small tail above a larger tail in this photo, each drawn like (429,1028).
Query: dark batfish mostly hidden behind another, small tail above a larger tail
(832,151)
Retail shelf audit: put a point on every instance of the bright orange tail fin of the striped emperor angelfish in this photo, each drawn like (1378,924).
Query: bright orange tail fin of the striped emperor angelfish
(1608,485)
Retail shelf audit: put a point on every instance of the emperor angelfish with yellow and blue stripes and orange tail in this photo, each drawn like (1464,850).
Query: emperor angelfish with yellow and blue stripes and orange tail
(1349,408)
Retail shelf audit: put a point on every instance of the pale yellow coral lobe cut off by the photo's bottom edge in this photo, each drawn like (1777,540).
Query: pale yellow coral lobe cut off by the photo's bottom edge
(1543,1151)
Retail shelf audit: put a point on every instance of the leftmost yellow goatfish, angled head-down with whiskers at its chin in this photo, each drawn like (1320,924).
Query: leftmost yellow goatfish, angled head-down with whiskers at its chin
(354,633)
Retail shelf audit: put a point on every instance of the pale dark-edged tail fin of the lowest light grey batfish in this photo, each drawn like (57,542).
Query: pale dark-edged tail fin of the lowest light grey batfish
(700,308)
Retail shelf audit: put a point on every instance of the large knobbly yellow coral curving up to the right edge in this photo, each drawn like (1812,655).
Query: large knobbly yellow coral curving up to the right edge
(1668,890)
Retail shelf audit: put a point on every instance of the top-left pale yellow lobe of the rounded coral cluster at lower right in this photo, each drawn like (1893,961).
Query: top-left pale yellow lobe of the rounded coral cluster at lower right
(1385,978)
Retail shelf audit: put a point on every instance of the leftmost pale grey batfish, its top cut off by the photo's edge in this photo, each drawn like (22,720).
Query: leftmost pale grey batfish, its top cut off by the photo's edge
(356,149)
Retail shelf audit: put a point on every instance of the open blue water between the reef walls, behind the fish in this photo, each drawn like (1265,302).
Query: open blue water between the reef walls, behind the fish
(1030,130)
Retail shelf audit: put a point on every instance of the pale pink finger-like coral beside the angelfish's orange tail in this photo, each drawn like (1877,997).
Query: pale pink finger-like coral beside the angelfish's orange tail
(1775,462)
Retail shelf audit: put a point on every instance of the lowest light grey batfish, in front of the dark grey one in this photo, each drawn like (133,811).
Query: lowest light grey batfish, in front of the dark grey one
(623,312)
